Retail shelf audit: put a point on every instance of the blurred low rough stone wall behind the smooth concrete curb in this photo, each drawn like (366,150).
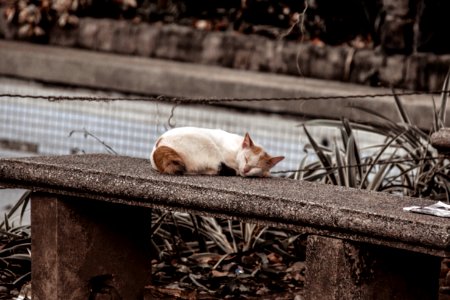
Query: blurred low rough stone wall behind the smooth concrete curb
(250,52)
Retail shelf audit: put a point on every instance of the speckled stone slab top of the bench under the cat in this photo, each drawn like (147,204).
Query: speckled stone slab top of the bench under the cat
(372,217)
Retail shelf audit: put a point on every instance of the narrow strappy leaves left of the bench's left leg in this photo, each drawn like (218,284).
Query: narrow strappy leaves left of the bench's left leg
(15,252)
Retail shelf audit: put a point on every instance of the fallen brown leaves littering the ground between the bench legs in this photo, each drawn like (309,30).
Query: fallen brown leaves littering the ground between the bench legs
(248,276)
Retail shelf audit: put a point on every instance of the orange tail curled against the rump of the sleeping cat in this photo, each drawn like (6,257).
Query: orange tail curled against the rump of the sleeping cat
(168,161)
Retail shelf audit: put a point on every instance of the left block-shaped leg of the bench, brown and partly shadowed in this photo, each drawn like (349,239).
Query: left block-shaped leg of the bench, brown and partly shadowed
(87,249)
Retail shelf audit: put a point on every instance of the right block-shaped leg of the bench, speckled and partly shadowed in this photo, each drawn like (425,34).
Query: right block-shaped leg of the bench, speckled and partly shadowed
(338,269)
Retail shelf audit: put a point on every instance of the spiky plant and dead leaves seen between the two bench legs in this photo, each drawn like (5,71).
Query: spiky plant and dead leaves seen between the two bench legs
(208,256)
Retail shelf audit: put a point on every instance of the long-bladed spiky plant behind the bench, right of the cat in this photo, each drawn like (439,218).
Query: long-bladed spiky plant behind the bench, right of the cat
(405,163)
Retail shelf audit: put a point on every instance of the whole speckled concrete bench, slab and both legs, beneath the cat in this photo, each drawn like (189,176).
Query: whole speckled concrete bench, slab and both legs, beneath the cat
(90,217)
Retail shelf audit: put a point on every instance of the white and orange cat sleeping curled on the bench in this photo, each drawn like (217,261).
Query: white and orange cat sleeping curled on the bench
(191,150)
